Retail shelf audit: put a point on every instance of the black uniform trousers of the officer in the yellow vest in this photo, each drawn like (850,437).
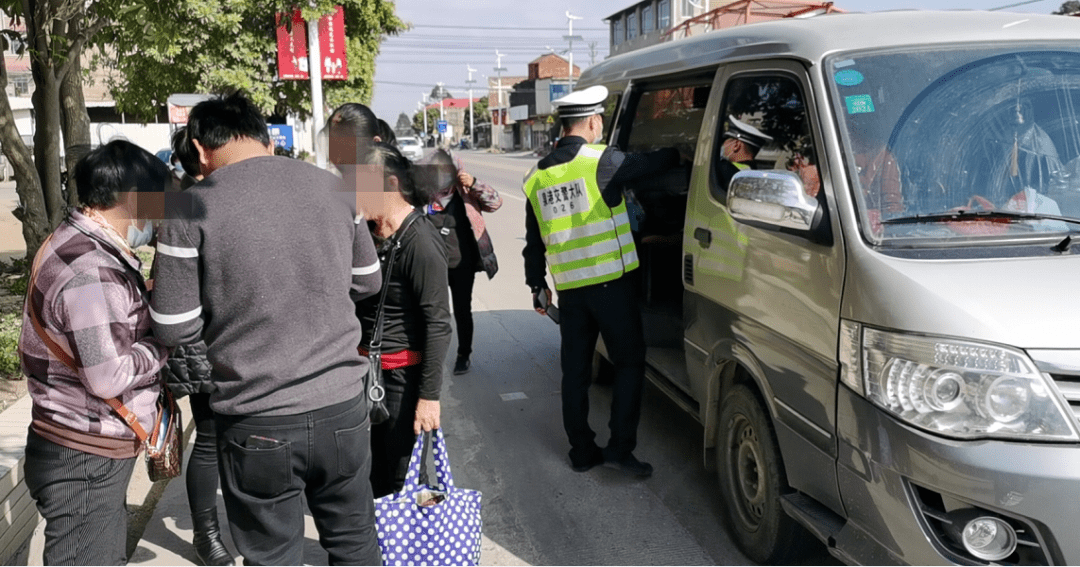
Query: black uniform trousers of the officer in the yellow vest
(612,312)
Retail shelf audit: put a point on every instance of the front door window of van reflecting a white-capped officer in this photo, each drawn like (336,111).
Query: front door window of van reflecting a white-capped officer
(775,105)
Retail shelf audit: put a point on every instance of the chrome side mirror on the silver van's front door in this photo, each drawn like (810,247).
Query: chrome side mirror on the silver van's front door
(774,199)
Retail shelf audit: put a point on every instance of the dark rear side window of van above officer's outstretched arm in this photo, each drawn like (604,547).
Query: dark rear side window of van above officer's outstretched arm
(666,118)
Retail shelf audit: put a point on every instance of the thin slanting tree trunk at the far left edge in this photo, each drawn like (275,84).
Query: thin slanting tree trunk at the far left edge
(32,211)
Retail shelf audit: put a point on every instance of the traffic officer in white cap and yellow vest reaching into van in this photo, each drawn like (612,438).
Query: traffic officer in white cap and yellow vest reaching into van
(578,226)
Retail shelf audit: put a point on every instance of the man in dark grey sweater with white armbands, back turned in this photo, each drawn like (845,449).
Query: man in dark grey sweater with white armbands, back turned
(264,261)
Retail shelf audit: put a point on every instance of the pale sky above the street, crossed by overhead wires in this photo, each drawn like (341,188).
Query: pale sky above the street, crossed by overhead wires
(449,35)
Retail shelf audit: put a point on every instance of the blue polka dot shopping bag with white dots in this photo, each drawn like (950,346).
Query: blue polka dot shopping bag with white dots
(430,525)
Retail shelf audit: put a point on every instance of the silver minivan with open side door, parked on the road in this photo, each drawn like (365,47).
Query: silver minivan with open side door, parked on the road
(874,322)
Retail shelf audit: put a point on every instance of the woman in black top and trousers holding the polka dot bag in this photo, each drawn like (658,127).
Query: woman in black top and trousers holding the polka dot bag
(416,319)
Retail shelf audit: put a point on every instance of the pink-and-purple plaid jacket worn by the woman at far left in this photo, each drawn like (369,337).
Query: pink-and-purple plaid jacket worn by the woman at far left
(90,300)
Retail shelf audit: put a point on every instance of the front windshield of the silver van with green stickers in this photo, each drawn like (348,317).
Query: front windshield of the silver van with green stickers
(962,145)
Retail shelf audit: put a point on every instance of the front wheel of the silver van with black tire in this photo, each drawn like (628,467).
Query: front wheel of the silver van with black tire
(751,474)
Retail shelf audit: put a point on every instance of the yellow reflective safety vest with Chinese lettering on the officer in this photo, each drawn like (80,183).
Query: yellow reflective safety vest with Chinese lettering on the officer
(587,242)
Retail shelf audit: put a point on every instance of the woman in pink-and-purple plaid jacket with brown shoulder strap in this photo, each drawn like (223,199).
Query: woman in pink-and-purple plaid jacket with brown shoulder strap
(87,349)
